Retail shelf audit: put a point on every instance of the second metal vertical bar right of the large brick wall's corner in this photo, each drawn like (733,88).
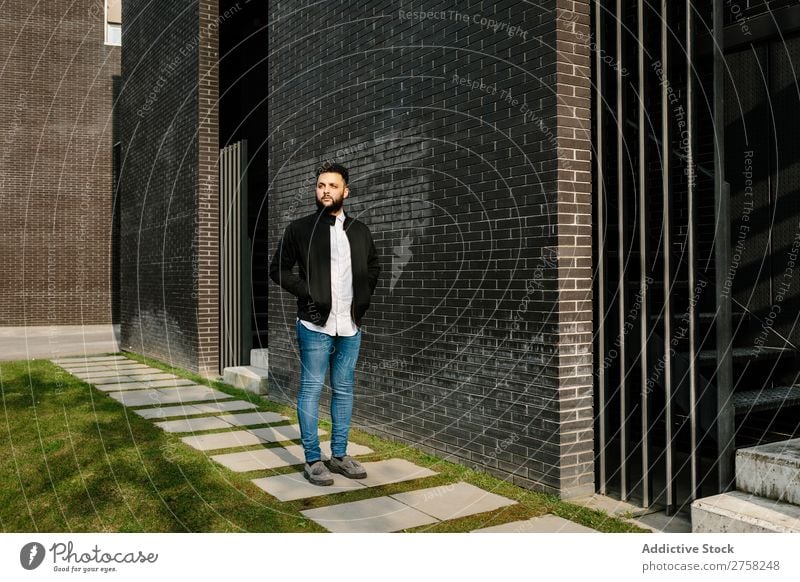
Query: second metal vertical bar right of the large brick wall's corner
(621,262)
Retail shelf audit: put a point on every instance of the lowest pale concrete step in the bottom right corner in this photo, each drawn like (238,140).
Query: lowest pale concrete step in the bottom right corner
(738,512)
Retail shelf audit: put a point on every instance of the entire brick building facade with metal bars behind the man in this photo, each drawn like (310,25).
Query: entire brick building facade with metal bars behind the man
(585,215)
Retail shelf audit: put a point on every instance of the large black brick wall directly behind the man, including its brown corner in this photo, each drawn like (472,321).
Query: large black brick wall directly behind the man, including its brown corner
(469,159)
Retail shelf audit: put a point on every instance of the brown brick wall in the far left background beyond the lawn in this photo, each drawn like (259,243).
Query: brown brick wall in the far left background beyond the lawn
(56,139)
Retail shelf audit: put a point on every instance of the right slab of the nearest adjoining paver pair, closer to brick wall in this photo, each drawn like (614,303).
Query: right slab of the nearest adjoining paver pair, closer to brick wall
(453,501)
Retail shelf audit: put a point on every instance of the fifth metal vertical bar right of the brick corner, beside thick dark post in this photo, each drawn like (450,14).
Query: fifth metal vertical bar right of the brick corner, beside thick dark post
(693,459)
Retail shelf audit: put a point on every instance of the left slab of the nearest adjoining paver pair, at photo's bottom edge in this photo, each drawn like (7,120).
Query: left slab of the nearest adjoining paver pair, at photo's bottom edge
(382,514)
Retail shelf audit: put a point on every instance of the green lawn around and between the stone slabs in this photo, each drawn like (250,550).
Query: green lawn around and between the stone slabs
(73,459)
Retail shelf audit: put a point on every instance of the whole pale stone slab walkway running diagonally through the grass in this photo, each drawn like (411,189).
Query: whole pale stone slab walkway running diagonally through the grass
(220,425)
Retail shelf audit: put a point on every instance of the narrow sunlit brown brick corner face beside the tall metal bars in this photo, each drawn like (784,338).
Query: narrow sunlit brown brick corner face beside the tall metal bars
(573,102)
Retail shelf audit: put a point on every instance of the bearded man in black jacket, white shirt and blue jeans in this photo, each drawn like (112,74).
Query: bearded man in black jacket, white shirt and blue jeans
(338,271)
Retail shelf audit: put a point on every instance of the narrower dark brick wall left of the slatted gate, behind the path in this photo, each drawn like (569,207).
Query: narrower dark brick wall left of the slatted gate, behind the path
(168,244)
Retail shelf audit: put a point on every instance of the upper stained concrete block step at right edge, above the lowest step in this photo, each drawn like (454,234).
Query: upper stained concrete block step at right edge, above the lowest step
(771,471)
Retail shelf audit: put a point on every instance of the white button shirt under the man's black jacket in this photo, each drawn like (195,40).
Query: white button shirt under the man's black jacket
(340,321)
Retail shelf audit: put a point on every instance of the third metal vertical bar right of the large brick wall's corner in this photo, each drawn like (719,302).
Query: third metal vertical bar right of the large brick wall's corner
(643,258)
